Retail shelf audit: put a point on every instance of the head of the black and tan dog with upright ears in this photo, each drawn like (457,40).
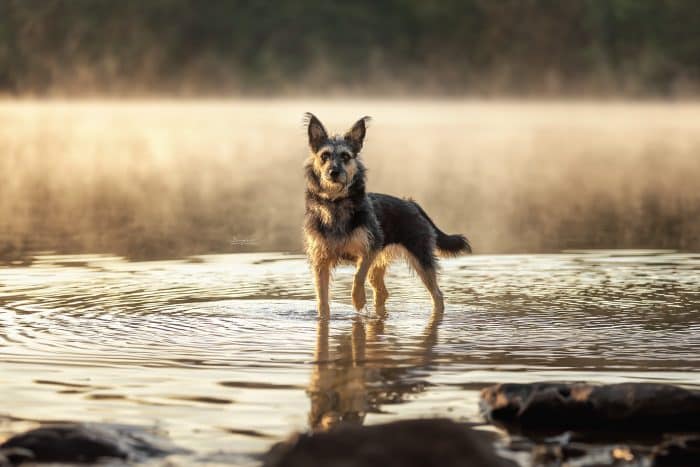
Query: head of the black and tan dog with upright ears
(334,159)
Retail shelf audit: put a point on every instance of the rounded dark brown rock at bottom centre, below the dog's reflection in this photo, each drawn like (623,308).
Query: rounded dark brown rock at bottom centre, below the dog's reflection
(410,443)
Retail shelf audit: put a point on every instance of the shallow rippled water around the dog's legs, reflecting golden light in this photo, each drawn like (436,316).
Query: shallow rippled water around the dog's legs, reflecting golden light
(226,355)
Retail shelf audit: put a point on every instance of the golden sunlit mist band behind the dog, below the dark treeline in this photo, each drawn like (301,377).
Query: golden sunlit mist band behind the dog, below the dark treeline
(151,179)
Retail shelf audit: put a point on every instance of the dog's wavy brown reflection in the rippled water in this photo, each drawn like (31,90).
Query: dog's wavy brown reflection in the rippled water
(364,371)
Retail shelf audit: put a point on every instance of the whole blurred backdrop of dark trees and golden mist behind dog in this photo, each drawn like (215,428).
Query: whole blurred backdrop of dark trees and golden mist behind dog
(173,127)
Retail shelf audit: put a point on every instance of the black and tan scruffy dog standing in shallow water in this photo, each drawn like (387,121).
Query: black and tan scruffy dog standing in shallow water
(344,223)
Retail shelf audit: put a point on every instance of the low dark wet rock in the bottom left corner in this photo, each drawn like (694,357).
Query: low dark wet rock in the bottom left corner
(84,443)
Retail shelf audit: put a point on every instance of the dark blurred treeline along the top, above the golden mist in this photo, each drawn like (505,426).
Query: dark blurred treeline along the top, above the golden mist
(479,47)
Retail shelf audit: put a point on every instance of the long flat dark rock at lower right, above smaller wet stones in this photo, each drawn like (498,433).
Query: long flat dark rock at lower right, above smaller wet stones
(628,407)
